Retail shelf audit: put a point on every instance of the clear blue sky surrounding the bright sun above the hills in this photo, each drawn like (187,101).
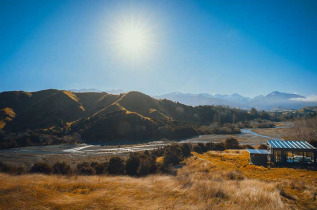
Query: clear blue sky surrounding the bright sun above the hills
(245,47)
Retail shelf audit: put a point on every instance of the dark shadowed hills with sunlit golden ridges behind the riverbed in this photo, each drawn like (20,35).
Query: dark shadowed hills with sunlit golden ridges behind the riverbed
(102,117)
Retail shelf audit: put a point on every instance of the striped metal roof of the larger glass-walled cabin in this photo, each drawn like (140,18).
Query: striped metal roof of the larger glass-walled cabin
(290,144)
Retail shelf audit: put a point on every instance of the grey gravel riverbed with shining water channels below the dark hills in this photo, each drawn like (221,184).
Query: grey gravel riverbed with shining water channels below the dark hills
(84,152)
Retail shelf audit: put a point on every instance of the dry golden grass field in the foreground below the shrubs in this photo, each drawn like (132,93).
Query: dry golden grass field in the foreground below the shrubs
(214,180)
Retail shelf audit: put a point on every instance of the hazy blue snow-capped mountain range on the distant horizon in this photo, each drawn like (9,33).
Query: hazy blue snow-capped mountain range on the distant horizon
(273,101)
